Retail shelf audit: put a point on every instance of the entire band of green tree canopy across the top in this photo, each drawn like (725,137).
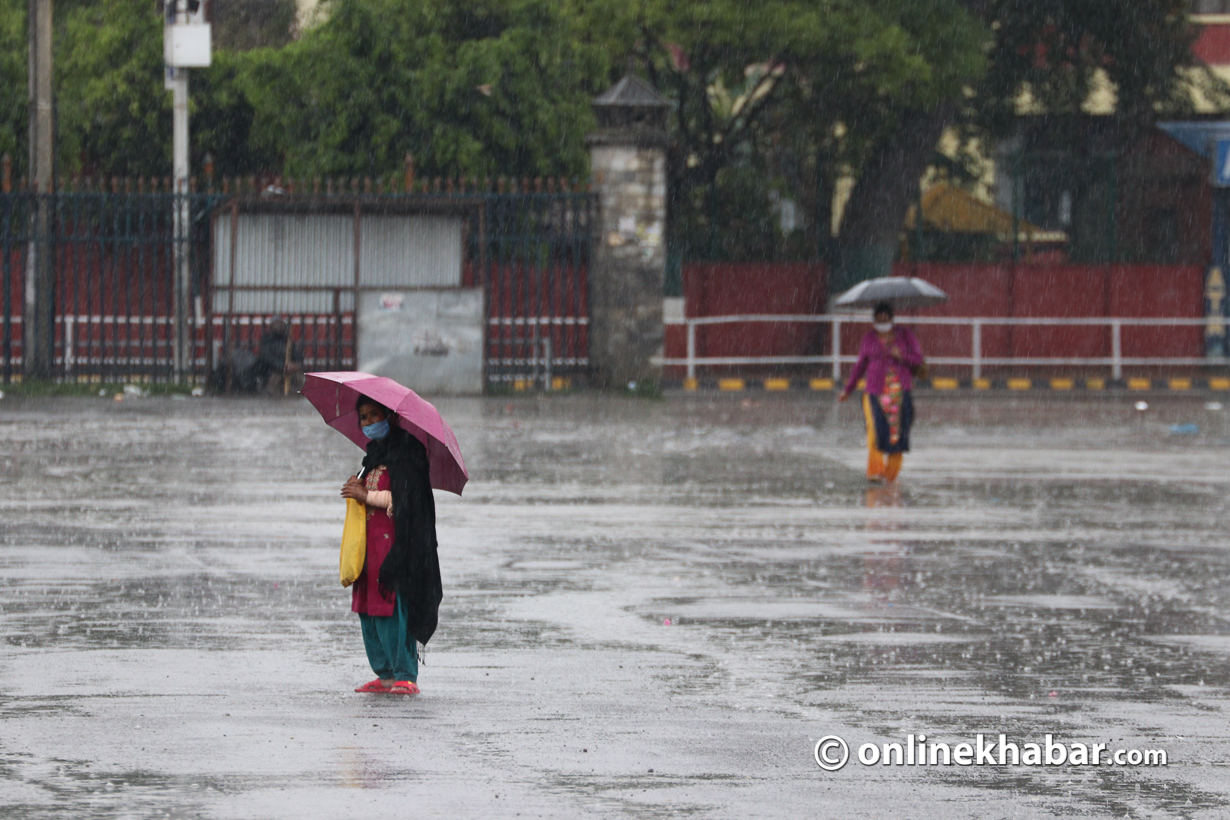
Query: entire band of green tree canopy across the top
(776,101)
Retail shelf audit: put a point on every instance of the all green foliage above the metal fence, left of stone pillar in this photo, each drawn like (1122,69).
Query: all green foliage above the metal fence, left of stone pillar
(472,88)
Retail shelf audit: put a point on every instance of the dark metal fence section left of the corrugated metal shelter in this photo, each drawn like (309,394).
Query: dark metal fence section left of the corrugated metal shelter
(125,285)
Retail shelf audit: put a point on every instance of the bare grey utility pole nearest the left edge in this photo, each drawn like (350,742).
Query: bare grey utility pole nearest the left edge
(40,317)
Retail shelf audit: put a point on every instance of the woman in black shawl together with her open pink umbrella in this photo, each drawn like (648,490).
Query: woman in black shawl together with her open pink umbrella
(410,449)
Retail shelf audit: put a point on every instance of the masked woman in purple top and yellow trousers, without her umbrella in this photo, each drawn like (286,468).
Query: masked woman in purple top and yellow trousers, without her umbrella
(887,358)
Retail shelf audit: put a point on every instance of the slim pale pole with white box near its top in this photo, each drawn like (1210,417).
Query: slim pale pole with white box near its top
(185,46)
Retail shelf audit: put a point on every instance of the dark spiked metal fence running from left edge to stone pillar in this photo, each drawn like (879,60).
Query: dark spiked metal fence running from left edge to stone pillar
(127,308)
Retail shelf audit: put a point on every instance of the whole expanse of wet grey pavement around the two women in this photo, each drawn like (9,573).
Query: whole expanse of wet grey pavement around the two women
(653,609)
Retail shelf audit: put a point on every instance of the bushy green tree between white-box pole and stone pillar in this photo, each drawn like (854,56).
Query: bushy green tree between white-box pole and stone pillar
(475,88)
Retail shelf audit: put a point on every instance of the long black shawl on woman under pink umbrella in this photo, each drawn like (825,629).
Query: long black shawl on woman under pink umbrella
(413,567)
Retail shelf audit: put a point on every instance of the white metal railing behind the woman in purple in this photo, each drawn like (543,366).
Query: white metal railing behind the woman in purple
(976,362)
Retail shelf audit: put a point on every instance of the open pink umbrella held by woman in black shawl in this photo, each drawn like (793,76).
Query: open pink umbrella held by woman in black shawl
(334,395)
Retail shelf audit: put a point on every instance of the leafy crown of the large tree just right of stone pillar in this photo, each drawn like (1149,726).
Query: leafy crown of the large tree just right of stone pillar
(830,78)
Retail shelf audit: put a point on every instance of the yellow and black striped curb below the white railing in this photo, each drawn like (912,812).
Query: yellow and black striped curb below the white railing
(976,385)
